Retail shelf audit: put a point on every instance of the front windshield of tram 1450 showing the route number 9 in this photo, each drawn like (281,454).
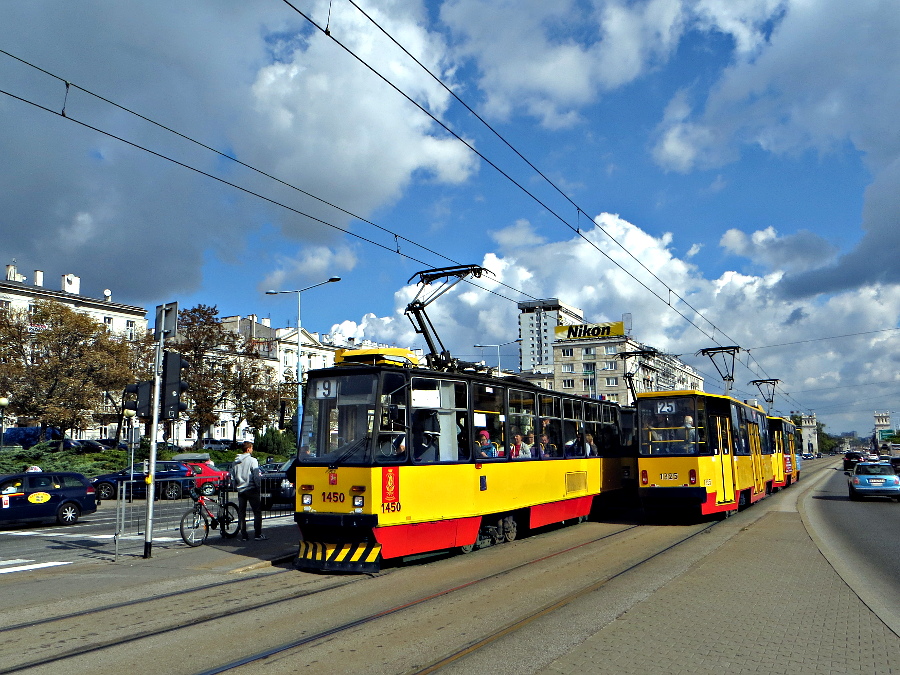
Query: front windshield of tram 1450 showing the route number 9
(338,419)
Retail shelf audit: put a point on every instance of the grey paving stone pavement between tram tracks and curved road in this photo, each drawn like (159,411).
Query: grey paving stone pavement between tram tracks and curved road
(766,601)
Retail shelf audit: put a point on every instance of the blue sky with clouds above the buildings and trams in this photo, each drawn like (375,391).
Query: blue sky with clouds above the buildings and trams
(744,151)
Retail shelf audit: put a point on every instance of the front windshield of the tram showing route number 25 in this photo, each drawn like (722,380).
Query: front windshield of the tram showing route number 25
(669,426)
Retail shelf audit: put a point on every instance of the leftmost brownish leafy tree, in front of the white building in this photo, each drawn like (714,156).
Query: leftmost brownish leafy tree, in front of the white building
(56,365)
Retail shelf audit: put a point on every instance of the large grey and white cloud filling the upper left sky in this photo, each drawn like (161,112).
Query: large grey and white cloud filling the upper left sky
(252,79)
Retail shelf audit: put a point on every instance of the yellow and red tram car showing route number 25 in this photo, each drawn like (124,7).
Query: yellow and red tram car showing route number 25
(702,451)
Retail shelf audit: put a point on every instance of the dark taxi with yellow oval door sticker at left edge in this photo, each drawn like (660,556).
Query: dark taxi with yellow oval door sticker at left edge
(62,496)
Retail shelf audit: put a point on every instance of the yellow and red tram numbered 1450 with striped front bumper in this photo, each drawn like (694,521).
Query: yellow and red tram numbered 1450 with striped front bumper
(398,461)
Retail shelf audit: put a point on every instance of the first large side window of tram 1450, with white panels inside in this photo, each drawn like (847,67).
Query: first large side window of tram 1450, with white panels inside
(437,425)
